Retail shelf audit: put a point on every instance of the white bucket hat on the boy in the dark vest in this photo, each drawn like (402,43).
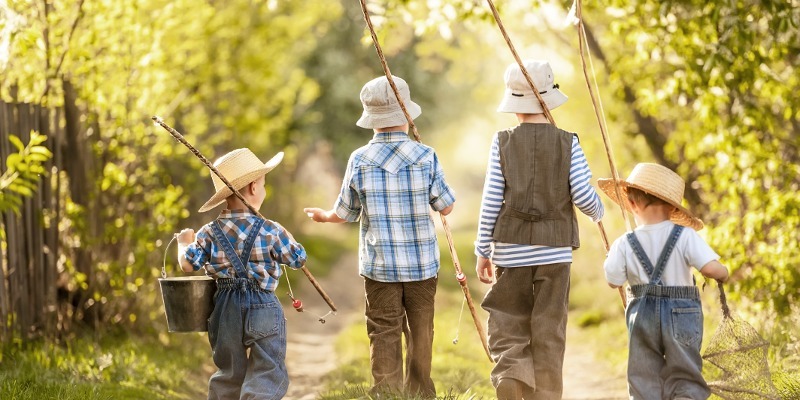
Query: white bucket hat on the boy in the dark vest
(519,97)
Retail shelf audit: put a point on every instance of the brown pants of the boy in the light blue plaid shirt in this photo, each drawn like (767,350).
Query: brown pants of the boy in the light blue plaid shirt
(393,309)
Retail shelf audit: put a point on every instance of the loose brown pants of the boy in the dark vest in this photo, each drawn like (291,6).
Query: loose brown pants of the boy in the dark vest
(527,326)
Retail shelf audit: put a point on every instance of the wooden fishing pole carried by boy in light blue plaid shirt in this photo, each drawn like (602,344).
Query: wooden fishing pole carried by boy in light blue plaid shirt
(460,277)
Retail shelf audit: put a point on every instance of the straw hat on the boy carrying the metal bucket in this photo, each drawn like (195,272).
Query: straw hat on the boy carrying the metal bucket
(239,167)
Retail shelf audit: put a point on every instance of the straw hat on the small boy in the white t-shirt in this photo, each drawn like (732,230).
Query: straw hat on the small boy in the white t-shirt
(658,181)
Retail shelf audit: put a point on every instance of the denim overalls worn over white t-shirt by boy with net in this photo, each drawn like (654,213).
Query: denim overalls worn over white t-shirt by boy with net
(665,329)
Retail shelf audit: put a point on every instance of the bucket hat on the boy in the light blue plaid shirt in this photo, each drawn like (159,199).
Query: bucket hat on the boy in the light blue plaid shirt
(381,109)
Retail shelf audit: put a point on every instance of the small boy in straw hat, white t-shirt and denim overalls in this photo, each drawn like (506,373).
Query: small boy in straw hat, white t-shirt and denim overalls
(664,314)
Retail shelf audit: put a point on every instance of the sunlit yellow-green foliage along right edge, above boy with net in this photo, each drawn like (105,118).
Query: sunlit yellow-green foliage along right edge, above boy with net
(720,78)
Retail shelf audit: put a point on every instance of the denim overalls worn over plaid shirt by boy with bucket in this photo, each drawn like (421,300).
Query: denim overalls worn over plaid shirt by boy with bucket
(246,317)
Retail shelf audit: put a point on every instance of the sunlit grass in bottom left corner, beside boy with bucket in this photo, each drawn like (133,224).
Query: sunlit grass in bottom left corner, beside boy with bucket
(116,367)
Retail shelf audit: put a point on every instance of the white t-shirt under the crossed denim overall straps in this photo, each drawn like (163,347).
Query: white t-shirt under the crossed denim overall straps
(690,251)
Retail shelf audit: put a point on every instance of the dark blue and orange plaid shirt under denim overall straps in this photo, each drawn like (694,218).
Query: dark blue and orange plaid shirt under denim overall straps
(272,248)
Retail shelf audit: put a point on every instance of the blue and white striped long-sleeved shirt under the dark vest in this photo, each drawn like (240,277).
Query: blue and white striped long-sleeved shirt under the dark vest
(518,255)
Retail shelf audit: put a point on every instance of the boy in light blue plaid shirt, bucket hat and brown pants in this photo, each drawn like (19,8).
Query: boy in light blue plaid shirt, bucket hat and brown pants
(390,185)
